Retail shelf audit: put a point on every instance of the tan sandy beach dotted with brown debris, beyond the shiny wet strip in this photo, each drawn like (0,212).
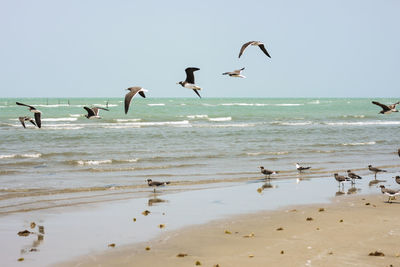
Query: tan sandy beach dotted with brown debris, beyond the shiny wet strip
(341,233)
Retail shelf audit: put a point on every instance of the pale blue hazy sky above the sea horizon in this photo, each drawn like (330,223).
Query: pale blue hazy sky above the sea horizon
(98,48)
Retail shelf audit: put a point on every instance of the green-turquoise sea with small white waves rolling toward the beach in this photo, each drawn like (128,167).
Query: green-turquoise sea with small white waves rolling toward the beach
(189,142)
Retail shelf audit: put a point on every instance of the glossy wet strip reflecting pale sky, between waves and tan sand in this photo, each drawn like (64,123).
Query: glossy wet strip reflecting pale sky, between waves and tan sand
(71,232)
